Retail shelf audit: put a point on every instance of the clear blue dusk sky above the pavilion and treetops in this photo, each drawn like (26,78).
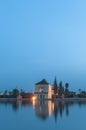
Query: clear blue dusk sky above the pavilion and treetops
(42,39)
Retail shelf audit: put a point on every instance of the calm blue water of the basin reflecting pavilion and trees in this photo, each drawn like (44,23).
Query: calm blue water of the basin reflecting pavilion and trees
(42,115)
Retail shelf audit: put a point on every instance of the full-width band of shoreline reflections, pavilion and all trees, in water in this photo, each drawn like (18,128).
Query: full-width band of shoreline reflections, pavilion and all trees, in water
(44,108)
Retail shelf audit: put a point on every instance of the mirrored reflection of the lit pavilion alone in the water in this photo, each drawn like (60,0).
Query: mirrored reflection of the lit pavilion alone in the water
(43,109)
